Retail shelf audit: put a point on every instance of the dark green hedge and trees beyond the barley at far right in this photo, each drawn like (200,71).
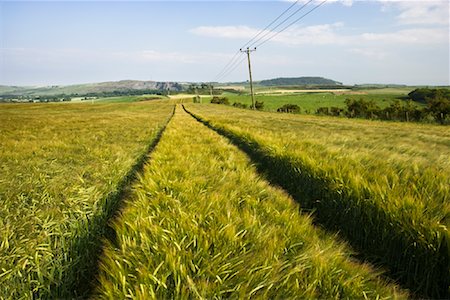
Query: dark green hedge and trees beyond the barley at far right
(437,108)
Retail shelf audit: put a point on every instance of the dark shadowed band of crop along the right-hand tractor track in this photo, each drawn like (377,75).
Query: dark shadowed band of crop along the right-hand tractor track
(379,239)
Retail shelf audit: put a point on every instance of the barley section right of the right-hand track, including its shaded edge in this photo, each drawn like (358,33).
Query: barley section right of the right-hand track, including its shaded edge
(384,187)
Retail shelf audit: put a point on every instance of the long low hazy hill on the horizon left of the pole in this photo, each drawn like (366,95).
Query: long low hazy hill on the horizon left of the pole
(91,88)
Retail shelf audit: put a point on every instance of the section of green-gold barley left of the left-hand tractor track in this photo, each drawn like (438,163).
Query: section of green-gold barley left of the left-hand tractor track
(64,167)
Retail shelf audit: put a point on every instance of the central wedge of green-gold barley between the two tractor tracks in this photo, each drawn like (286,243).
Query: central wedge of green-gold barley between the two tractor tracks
(201,223)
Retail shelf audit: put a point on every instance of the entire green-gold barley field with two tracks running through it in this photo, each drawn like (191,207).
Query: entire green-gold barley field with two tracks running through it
(169,200)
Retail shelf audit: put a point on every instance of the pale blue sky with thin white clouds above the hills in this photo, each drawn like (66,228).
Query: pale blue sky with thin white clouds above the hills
(66,42)
